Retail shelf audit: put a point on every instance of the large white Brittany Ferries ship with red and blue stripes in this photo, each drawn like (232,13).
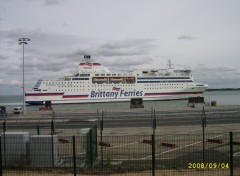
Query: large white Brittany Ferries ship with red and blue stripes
(94,83)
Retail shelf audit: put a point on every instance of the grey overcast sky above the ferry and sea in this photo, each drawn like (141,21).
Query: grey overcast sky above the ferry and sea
(202,35)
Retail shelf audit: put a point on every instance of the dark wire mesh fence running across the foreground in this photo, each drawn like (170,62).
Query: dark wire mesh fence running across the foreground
(135,154)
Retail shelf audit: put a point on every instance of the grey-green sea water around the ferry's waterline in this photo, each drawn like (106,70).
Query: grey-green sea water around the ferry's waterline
(221,97)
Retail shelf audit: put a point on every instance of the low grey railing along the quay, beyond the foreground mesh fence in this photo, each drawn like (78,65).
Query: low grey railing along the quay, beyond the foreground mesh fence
(161,114)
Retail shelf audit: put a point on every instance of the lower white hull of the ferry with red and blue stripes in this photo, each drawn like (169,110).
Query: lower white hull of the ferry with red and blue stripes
(38,99)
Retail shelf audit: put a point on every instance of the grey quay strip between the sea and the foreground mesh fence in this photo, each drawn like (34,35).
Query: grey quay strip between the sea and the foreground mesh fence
(132,118)
